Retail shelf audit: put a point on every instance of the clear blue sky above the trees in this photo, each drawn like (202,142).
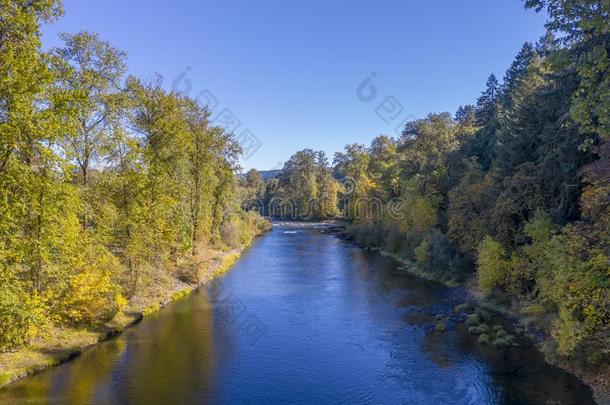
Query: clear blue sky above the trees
(289,70)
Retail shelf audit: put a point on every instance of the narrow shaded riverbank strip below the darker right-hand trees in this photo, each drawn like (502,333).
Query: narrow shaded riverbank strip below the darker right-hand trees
(598,380)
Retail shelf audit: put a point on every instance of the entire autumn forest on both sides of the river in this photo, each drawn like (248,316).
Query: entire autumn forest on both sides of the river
(112,186)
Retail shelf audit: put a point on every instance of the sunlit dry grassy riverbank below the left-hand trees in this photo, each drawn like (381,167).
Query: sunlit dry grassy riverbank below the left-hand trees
(59,345)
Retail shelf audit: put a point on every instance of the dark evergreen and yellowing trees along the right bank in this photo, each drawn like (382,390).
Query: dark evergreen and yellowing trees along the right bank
(517,185)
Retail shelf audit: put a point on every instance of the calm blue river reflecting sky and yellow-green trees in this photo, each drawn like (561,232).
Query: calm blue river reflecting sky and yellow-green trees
(304,317)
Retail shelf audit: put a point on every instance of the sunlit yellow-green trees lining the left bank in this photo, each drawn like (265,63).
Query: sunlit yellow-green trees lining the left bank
(105,180)
